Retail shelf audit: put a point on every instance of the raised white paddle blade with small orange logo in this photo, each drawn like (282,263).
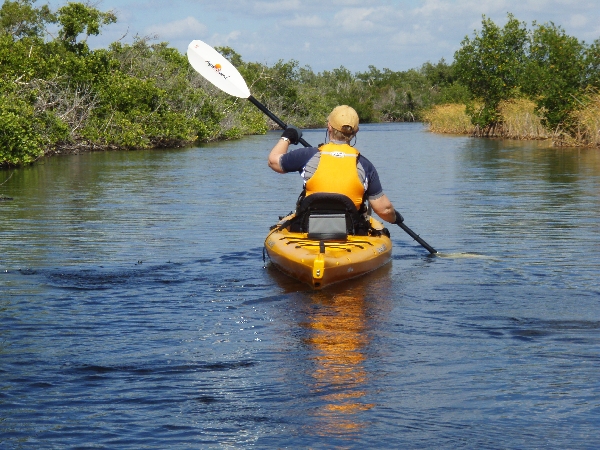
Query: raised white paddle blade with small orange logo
(217,69)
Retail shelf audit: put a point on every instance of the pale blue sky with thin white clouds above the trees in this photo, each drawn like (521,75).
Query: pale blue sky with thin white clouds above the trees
(324,35)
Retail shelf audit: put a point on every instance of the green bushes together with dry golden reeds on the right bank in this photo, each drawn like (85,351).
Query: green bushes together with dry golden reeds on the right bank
(525,83)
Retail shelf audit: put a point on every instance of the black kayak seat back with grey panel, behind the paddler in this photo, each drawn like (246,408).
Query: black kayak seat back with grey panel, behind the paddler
(328,216)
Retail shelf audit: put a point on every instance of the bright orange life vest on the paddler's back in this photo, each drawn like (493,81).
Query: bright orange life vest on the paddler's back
(337,173)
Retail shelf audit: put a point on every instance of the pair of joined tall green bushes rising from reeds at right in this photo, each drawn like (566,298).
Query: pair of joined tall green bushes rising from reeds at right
(543,64)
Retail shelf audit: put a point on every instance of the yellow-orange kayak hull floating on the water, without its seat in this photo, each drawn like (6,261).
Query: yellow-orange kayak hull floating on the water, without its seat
(324,261)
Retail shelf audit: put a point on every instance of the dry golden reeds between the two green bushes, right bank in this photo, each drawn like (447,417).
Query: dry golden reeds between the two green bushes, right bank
(520,120)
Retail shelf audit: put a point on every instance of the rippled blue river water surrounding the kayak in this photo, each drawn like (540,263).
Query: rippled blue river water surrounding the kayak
(136,312)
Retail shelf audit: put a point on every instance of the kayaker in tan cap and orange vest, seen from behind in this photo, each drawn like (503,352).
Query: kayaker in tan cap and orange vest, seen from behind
(336,166)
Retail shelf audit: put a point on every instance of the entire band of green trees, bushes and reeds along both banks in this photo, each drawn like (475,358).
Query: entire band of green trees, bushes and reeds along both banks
(59,96)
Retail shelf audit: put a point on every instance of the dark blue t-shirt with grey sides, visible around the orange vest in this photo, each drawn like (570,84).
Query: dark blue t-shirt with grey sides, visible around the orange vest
(305,161)
